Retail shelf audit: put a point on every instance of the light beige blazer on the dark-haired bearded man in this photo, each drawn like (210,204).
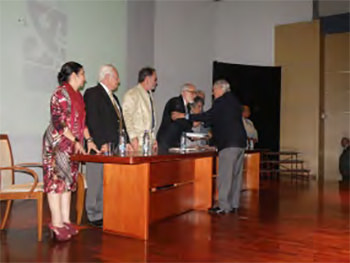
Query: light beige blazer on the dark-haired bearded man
(138,112)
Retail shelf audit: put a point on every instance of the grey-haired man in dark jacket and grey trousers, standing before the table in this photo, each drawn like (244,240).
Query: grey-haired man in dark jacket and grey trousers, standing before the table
(225,118)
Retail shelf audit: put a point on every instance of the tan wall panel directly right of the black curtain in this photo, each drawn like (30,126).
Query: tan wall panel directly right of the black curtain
(297,50)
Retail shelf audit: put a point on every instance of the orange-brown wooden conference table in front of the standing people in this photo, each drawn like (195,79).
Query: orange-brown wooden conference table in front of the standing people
(139,190)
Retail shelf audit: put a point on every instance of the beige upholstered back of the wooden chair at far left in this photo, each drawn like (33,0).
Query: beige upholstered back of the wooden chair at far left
(6,159)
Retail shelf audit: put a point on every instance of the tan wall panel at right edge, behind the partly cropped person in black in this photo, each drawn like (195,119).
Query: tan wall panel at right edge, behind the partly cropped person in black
(336,100)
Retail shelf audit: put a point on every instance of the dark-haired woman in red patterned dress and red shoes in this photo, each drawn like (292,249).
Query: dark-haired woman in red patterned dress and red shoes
(62,138)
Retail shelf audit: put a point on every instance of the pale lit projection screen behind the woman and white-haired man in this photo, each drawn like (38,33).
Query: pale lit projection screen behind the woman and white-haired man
(37,37)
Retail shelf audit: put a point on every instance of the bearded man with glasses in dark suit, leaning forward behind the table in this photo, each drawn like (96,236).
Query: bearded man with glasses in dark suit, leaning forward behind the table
(170,131)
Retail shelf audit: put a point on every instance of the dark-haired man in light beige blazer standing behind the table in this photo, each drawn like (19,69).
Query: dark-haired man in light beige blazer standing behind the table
(138,107)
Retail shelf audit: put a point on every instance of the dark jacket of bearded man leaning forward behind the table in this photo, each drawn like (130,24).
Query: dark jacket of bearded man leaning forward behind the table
(170,131)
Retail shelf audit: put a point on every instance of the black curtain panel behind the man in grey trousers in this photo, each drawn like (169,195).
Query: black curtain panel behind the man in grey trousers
(258,87)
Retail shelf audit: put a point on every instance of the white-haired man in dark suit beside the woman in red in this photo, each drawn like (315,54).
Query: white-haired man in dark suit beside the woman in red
(104,118)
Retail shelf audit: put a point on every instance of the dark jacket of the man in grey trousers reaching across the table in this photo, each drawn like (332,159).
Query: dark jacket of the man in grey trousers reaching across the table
(225,117)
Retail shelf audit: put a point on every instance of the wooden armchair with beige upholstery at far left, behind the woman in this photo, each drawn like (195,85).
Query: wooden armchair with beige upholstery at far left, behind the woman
(10,191)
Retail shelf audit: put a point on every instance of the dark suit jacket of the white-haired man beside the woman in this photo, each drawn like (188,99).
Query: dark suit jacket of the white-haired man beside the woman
(101,117)
